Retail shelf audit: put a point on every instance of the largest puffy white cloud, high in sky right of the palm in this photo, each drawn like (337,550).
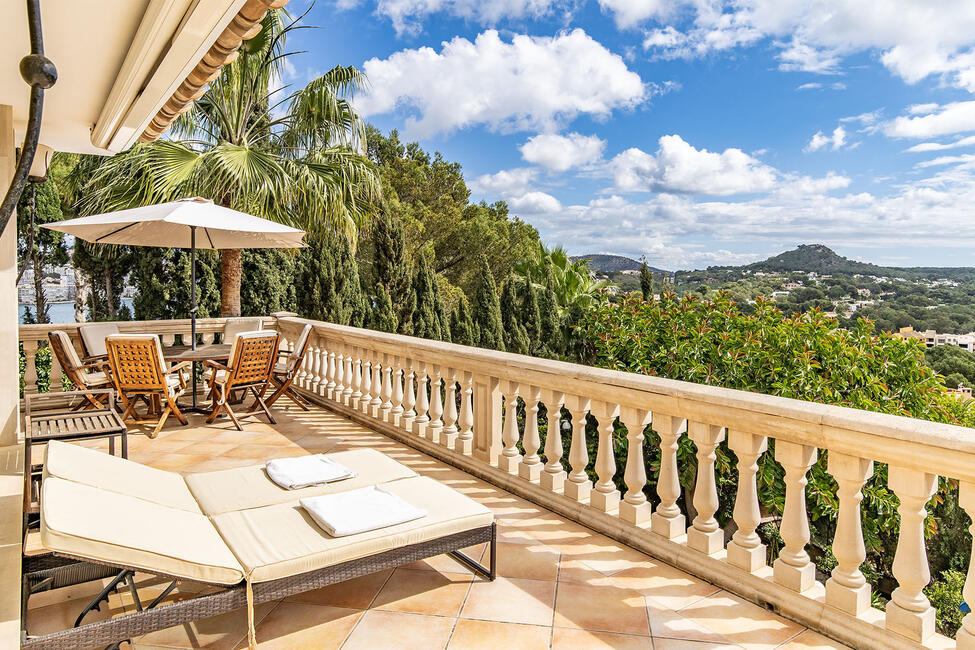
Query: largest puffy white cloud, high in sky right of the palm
(529,83)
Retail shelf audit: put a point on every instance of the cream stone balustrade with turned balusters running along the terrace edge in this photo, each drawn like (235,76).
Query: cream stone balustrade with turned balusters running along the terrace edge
(481,411)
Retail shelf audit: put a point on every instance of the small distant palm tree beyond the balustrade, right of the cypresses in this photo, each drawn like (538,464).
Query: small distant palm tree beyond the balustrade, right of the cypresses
(572,282)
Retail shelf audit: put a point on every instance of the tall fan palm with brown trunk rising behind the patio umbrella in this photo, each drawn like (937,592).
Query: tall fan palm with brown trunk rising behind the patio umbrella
(297,159)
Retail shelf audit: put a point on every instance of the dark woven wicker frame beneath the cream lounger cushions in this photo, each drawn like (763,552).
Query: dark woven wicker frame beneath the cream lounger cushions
(136,624)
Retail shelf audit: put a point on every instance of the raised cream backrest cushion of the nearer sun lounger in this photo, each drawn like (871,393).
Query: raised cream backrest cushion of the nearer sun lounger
(85,521)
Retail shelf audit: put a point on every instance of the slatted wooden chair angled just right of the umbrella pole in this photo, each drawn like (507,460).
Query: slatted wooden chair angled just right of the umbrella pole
(249,369)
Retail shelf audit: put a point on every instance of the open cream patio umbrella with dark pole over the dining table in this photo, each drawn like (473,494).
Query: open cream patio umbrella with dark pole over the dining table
(187,223)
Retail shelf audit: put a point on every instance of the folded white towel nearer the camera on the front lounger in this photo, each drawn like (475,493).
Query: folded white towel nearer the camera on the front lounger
(358,511)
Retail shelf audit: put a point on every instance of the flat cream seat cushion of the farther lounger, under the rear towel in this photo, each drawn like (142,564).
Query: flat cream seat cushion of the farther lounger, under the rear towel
(249,487)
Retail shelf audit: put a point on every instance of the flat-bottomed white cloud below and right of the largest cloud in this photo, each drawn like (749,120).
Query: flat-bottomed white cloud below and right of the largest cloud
(679,167)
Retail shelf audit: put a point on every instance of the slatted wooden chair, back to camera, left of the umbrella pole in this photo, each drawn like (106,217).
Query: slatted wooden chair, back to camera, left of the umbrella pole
(139,371)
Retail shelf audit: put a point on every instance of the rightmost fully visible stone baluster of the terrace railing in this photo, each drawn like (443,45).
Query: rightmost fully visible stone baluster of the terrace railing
(909,611)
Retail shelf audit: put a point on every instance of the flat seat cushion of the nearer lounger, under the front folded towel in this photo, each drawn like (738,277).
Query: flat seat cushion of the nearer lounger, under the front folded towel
(282,540)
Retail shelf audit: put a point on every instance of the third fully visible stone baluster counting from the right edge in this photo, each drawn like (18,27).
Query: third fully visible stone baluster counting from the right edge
(792,568)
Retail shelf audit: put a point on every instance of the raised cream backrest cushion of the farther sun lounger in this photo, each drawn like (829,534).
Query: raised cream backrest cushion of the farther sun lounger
(100,470)
